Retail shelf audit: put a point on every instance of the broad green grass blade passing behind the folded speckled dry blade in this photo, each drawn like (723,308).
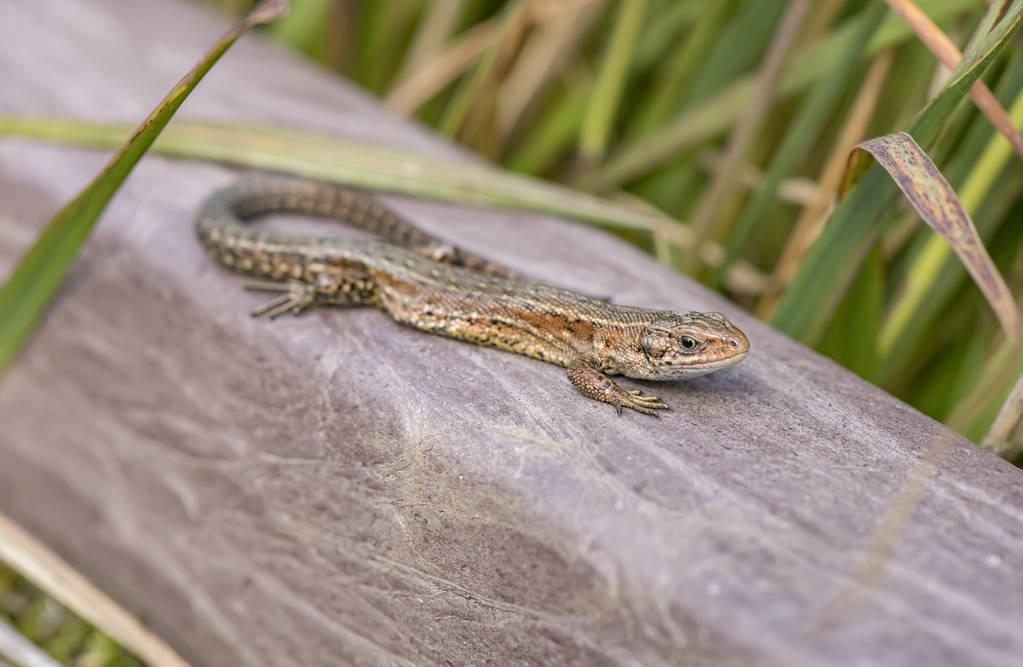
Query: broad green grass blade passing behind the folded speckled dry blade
(831,265)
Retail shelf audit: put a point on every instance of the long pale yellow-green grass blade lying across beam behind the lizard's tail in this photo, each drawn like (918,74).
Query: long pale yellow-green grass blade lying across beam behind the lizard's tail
(351,164)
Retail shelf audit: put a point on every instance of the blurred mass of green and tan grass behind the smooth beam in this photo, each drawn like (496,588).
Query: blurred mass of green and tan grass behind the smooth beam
(651,97)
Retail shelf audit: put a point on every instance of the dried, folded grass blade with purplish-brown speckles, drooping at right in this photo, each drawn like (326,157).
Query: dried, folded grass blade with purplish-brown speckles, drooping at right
(936,201)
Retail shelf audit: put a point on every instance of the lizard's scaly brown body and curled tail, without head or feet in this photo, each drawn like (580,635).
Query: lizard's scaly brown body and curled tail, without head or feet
(417,278)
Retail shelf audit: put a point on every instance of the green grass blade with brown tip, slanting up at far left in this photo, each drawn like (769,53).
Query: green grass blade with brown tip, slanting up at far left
(26,295)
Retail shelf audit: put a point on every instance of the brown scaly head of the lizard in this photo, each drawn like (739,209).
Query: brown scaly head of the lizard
(685,345)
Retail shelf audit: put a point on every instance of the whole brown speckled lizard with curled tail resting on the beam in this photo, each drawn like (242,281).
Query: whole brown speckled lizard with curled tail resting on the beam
(424,283)
